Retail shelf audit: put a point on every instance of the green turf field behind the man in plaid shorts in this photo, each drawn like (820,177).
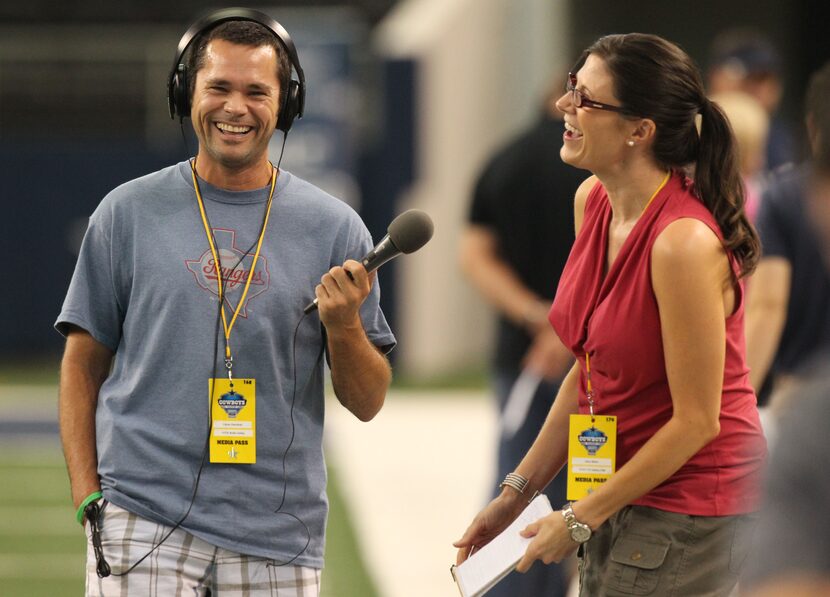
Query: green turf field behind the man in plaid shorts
(42,547)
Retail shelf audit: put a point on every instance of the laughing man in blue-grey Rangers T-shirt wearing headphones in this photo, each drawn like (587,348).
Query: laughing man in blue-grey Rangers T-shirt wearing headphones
(191,396)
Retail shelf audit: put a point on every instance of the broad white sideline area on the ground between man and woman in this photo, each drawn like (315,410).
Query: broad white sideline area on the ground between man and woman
(432,455)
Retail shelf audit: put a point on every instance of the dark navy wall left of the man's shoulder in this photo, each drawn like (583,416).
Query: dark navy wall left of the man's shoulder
(47,189)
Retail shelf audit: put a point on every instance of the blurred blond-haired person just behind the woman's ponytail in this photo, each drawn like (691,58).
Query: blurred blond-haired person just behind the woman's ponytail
(750,125)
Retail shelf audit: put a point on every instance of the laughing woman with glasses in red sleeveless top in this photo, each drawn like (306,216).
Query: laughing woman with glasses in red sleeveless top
(651,304)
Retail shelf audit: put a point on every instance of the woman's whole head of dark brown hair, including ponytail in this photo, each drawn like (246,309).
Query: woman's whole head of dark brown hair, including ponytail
(654,78)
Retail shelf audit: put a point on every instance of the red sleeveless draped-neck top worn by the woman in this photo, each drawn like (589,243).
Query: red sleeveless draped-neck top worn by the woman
(615,320)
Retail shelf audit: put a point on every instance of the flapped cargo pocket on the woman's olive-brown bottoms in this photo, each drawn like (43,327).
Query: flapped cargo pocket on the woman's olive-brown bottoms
(635,565)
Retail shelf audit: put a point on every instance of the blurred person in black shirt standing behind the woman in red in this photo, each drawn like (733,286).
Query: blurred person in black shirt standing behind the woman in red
(513,250)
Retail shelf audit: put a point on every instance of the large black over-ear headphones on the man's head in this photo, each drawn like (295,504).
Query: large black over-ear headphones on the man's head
(178,94)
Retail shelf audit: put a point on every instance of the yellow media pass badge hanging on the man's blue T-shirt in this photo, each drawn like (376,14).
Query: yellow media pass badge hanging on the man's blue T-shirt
(233,433)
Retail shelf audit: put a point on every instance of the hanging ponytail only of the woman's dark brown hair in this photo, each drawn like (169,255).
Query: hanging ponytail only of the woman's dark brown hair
(719,185)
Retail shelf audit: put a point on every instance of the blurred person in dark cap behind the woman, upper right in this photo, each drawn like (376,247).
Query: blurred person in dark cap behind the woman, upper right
(745,60)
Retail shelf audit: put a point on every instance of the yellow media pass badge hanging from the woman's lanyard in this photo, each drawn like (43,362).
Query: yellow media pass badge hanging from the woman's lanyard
(592,453)
